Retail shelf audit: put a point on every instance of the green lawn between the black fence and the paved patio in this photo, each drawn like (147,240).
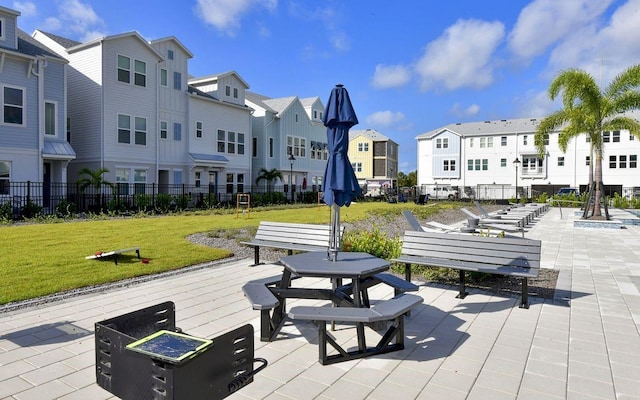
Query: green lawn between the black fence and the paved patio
(42,259)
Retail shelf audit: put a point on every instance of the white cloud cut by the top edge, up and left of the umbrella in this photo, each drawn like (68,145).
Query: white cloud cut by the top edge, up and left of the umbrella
(225,15)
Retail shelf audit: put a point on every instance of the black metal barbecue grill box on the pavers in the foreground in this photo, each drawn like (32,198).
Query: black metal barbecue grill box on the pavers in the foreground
(214,373)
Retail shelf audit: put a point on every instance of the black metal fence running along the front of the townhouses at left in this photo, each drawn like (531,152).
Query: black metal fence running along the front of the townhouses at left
(30,199)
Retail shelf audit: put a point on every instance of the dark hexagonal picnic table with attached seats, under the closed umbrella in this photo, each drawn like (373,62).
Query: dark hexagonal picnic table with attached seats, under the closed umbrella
(350,302)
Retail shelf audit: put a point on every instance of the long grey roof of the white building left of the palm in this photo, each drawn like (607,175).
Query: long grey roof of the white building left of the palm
(469,129)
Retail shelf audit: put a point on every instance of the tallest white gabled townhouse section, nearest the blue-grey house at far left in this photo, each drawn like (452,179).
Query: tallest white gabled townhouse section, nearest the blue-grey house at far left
(113,105)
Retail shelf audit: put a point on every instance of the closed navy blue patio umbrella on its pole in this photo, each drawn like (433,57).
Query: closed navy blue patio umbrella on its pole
(339,185)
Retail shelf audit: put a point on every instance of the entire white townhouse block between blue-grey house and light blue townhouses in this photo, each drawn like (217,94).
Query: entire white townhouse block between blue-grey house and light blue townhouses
(134,110)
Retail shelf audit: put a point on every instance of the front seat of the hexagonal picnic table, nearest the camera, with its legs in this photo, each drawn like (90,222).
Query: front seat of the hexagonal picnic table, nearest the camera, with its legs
(386,310)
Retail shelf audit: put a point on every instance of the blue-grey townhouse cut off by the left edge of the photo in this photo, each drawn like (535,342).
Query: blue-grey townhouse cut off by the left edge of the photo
(33,143)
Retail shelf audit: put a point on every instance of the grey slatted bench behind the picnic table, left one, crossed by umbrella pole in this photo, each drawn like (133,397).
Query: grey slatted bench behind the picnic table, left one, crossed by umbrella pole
(290,237)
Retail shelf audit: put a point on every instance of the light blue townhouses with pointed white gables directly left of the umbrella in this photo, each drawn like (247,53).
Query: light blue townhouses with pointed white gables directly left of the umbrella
(288,126)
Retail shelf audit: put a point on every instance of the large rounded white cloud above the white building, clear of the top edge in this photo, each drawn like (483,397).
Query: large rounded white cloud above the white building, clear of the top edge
(462,56)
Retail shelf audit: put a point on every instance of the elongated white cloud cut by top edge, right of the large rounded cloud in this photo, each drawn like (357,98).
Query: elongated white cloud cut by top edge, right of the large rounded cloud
(545,22)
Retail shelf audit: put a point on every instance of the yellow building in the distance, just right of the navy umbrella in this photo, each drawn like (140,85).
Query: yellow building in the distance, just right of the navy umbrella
(375,160)
